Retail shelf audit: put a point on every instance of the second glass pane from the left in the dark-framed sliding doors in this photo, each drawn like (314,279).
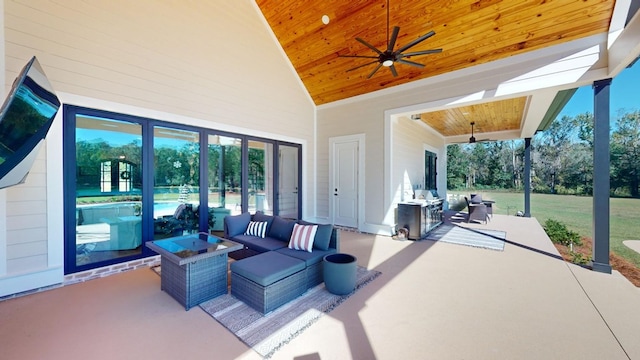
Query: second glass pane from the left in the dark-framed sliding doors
(176,189)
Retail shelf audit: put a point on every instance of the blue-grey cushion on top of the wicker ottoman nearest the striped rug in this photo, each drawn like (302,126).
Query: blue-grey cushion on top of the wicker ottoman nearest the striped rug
(267,268)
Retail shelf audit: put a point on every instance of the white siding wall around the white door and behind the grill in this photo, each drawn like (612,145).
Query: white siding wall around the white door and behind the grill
(368,117)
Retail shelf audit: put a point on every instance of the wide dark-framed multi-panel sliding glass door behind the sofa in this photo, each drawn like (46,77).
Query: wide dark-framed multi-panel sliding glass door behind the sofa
(128,180)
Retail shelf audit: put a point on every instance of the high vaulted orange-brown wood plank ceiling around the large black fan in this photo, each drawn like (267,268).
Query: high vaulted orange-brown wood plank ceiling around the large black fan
(469,32)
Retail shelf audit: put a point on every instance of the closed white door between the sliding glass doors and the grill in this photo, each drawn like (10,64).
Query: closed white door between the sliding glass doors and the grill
(344,182)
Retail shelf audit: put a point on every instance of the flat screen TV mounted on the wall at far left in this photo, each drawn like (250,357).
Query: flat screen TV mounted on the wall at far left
(25,118)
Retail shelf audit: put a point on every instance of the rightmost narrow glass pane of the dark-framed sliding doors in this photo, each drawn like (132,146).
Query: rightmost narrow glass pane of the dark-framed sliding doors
(288,181)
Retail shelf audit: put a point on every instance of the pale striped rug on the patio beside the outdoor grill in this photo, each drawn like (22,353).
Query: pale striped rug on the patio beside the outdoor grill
(487,239)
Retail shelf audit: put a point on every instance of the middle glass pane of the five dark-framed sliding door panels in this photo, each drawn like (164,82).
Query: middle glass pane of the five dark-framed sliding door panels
(225,179)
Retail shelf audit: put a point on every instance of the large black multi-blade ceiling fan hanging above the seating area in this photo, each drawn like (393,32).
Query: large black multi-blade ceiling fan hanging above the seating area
(389,57)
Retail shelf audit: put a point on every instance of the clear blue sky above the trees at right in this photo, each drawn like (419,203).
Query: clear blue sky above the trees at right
(624,95)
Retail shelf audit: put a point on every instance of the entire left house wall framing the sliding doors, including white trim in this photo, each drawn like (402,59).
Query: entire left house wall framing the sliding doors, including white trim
(213,64)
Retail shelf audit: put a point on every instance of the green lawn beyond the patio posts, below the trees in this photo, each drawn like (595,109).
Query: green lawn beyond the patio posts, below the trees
(576,212)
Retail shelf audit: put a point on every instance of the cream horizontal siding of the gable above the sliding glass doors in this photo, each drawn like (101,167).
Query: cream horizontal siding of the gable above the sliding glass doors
(210,60)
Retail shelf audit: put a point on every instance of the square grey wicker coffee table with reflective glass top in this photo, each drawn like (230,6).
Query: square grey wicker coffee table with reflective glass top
(194,267)
